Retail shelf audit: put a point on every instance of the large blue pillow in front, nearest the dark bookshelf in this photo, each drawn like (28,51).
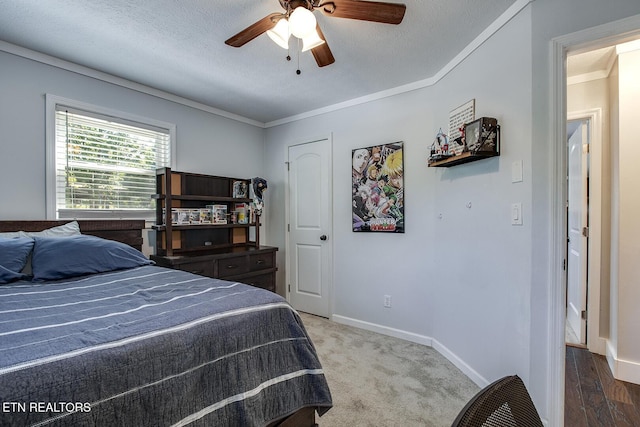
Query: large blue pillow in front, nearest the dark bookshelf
(55,258)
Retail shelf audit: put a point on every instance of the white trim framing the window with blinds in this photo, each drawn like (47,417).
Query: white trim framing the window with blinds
(51,101)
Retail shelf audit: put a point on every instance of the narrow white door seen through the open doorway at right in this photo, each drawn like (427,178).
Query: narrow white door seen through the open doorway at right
(577,227)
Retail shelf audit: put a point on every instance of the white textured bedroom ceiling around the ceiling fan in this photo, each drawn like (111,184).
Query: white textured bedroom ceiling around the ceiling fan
(177,46)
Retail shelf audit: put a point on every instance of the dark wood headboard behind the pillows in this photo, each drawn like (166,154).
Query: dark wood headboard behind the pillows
(125,231)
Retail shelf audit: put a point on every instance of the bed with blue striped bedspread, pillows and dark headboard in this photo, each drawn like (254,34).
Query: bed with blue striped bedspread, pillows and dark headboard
(92,333)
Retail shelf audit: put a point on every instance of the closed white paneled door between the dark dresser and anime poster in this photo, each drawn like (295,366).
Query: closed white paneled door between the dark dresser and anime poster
(310,240)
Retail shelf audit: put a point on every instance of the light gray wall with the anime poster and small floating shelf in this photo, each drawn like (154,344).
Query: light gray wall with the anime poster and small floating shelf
(463,279)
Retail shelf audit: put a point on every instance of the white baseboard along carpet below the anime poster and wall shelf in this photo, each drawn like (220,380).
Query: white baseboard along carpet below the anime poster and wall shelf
(474,376)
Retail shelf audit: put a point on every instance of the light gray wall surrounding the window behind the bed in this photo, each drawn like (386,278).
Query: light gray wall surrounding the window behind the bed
(206,143)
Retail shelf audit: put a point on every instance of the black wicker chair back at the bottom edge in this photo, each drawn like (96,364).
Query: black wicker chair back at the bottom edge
(504,403)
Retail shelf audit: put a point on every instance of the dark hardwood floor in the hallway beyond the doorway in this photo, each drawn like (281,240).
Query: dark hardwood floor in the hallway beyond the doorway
(593,398)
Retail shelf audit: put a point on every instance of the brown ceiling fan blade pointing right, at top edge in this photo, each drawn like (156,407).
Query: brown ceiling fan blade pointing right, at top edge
(387,13)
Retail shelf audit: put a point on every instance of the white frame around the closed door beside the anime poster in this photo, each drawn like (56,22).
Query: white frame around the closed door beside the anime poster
(287,204)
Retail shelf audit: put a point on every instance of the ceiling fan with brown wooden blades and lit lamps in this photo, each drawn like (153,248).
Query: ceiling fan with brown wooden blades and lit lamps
(298,20)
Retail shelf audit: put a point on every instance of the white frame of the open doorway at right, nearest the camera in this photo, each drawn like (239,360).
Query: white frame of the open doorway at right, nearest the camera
(592,38)
